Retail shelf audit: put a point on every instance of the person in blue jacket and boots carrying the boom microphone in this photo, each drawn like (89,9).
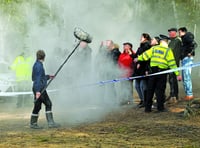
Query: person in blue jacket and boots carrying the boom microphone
(39,79)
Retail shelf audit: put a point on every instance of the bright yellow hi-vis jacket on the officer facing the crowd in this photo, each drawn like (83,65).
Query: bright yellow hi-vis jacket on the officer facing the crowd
(160,56)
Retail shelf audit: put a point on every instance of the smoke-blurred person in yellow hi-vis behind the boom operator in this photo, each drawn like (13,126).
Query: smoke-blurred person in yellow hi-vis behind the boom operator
(22,65)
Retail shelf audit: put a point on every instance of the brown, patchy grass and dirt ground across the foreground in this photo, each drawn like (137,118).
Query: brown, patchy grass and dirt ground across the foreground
(127,127)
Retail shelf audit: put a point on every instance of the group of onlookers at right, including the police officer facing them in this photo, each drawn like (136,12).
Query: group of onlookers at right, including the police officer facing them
(154,55)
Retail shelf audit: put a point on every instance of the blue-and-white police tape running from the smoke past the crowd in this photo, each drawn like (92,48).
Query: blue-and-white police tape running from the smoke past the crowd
(136,77)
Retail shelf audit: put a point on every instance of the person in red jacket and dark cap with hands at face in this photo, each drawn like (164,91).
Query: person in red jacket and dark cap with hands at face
(125,63)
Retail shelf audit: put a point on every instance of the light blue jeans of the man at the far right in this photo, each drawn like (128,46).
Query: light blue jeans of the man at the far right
(186,75)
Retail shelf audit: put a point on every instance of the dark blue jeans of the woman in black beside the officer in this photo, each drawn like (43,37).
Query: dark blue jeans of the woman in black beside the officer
(141,86)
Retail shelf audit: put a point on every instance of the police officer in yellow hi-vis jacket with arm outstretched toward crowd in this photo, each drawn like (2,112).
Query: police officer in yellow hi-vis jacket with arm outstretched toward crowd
(161,58)
